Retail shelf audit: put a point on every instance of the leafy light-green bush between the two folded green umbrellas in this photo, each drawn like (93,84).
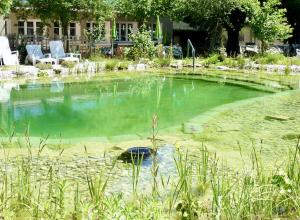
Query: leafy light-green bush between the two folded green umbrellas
(143,46)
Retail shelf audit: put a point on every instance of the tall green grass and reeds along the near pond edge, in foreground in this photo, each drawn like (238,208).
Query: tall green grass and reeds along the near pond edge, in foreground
(205,188)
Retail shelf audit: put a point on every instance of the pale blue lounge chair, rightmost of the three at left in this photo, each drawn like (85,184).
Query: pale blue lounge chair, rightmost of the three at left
(58,52)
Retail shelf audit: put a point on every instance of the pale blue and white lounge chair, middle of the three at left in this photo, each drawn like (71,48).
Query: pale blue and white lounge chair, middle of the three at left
(35,55)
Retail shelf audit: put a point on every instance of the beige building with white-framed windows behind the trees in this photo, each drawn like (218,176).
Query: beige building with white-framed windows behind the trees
(29,31)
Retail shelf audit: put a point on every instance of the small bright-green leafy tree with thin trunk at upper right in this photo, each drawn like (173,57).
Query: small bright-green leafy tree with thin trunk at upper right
(269,23)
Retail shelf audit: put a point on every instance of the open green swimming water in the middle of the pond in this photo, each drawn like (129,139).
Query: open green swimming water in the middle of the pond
(106,109)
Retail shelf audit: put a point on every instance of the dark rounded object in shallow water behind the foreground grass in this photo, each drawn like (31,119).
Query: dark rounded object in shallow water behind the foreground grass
(136,153)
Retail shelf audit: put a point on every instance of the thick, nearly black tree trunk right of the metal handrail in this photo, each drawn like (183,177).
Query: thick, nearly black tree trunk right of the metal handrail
(233,46)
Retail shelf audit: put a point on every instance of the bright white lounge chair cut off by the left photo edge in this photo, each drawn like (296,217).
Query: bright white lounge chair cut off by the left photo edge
(7,57)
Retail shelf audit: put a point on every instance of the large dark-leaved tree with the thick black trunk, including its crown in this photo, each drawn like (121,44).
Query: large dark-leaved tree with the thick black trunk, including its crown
(214,15)
